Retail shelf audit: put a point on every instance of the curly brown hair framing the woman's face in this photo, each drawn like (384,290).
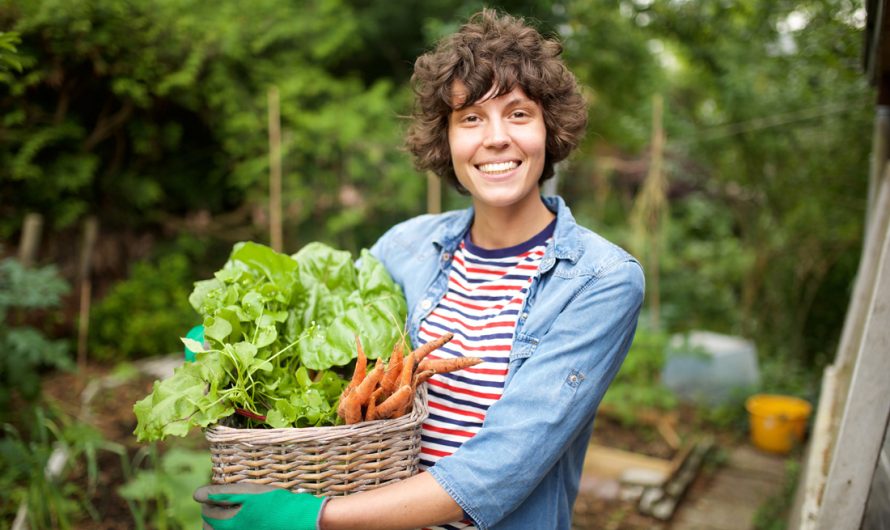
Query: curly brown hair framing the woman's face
(501,51)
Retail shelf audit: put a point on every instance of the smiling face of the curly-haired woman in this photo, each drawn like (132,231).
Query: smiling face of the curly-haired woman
(498,147)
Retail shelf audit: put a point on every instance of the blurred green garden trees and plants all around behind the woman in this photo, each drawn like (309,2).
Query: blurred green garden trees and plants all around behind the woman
(727,149)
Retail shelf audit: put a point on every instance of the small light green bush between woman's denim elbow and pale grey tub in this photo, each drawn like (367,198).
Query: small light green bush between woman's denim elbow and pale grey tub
(637,384)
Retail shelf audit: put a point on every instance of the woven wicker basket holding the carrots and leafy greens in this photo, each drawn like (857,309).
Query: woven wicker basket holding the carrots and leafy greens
(321,460)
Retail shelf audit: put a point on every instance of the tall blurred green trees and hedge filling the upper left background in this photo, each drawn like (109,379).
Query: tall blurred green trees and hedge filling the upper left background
(162,109)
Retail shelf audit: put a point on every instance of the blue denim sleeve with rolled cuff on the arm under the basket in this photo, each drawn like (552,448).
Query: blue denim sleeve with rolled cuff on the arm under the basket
(551,397)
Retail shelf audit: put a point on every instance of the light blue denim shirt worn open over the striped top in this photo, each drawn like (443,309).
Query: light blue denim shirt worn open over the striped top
(523,468)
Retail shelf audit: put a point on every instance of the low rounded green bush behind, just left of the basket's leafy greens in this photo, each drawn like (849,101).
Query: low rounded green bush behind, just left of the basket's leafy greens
(145,314)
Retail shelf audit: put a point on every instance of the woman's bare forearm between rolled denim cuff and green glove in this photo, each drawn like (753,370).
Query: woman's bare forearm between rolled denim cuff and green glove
(411,503)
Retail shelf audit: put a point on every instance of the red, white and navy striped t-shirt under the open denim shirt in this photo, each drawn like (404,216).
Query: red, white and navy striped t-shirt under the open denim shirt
(486,292)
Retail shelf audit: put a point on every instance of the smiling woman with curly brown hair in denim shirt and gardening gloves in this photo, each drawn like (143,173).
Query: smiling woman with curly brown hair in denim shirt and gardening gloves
(550,306)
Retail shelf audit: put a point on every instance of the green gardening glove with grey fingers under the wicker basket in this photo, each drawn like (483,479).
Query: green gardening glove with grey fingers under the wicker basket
(278,509)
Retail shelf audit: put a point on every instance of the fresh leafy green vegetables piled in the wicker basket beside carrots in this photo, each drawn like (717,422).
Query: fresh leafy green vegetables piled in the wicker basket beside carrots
(280,330)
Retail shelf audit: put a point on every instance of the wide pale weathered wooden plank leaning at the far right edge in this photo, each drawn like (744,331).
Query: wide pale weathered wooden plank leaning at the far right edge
(867,410)
